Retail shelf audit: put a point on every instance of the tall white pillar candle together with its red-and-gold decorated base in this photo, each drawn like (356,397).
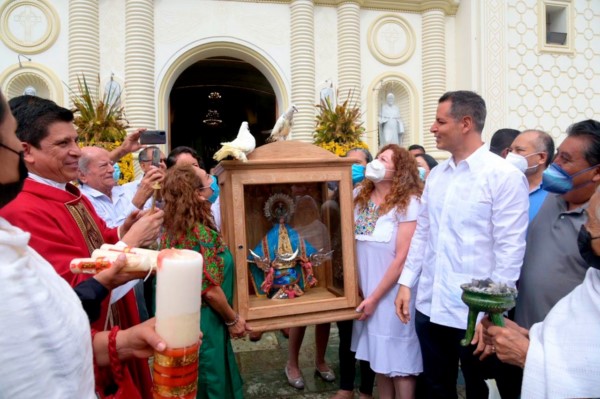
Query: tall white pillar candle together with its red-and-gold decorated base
(178,301)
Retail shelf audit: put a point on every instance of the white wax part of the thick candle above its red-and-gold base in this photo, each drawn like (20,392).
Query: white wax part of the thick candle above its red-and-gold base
(178,297)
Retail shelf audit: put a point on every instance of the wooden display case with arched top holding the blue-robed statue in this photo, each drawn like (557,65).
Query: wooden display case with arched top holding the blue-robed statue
(284,213)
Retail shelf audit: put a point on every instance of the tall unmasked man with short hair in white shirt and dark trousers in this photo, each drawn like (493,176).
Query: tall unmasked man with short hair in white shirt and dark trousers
(472,225)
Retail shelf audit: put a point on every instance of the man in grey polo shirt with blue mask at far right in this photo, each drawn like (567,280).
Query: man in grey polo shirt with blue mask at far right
(552,266)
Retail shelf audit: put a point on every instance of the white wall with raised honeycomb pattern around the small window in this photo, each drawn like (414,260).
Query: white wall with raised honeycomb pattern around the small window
(551,91)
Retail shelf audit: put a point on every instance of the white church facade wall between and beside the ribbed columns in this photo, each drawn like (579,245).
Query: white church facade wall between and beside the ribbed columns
(531,90)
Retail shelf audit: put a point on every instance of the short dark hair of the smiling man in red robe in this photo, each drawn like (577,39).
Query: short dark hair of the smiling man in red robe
(34,115)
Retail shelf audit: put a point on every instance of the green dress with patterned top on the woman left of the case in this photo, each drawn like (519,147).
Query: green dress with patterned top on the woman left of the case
(218,374)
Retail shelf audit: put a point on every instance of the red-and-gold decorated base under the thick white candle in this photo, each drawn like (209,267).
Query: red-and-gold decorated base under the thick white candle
(175,373)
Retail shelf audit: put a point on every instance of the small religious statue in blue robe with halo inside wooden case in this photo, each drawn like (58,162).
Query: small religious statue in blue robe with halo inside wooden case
(281,264)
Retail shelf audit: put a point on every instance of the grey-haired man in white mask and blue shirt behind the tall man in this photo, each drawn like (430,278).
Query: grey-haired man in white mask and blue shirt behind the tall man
(532,152)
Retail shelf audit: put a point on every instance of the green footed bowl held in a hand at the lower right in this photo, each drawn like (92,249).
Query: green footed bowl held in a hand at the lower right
(486,296)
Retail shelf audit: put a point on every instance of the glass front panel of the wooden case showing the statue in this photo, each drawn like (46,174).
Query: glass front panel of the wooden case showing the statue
(293,234)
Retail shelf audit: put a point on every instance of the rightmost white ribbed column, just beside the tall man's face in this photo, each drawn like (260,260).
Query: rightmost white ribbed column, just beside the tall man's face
(434,69)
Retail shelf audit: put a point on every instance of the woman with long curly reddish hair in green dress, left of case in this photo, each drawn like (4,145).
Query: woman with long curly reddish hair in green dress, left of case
(189,224)
